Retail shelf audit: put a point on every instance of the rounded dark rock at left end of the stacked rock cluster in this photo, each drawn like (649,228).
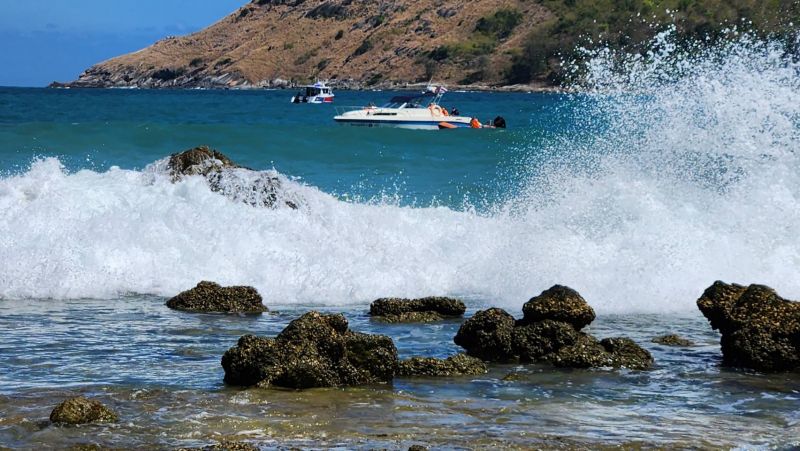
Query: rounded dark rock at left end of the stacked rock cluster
(487,335)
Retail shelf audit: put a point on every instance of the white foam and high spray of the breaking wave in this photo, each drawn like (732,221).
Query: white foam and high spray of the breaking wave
(685,170)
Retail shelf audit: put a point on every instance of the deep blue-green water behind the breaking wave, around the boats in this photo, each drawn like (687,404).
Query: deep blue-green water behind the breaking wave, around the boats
(261,129)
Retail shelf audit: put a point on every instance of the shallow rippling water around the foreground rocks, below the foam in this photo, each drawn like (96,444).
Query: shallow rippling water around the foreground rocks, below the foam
(160,370)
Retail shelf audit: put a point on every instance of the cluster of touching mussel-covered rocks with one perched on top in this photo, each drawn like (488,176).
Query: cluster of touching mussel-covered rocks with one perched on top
(550,331)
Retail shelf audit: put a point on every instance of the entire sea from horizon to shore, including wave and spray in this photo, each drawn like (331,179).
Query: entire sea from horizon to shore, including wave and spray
(639,192)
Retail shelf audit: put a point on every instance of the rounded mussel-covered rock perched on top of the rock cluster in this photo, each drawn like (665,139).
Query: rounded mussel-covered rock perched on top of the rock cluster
(559,303)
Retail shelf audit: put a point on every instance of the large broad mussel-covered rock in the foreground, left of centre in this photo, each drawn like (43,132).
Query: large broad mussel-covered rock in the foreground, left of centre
(315,350)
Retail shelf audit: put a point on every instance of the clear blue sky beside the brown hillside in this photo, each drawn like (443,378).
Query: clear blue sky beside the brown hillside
(55,40)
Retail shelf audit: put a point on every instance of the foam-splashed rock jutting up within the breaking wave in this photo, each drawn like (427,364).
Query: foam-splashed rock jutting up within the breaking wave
(255,188)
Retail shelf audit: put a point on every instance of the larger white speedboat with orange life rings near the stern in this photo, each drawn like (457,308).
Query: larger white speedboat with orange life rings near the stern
(418,111)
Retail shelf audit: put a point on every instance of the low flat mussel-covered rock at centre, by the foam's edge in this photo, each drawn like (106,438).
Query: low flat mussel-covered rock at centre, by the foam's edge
(429,309)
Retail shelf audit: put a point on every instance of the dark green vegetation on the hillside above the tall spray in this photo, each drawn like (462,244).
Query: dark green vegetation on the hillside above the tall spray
(628,23)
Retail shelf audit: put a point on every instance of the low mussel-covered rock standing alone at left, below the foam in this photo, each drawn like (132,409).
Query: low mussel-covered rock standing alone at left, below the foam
(211,297)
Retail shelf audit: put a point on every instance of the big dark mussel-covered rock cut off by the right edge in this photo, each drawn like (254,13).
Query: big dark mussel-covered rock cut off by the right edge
(760,329)
